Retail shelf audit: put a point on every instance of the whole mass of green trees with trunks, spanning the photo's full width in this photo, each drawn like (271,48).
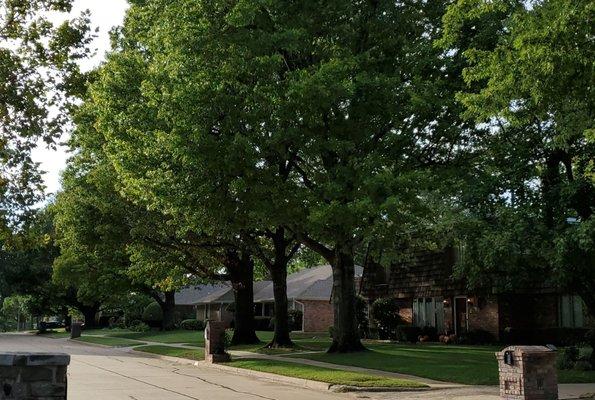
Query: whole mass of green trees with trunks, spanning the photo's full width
(221,138)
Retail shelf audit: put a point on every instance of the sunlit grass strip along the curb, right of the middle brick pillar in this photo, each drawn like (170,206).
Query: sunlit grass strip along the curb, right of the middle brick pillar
(333,377)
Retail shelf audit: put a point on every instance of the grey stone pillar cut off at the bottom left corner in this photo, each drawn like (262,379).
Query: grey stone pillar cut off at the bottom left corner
(32,376)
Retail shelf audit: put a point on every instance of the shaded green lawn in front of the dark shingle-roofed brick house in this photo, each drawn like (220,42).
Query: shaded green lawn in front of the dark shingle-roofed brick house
(473,365)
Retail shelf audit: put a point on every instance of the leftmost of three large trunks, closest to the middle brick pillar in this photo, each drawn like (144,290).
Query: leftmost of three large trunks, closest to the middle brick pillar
(241,272)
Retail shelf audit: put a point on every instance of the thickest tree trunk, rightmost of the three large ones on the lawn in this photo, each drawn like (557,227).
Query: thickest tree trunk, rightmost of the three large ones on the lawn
(345,333)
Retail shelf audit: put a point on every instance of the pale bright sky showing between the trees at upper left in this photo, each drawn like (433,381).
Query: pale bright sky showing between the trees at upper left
(105,14)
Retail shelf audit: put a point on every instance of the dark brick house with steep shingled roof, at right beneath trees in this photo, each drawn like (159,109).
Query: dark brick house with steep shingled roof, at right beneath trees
(427,295)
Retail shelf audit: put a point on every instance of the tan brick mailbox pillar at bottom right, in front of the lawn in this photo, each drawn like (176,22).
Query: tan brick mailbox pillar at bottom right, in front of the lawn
(528,373)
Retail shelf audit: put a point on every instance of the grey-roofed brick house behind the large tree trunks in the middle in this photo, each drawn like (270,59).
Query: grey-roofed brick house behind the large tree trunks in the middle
(308,290)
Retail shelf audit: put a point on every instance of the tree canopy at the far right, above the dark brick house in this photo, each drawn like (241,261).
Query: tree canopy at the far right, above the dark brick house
(529,76)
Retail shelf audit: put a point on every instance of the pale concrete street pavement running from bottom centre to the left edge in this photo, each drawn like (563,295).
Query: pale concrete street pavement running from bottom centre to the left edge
(97,373)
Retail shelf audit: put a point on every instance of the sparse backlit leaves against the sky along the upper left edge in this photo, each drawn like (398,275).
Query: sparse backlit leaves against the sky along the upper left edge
(38,76)
